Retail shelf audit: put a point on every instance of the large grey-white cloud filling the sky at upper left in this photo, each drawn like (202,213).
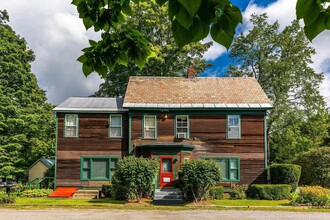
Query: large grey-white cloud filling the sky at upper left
(56,34)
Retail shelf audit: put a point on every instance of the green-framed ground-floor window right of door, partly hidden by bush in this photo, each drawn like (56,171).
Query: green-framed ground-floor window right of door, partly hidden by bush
(230,168)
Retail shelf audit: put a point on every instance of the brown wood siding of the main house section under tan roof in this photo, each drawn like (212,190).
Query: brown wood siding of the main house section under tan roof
(208,134)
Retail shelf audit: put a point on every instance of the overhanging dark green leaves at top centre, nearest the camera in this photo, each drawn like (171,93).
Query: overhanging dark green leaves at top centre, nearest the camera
(191,21)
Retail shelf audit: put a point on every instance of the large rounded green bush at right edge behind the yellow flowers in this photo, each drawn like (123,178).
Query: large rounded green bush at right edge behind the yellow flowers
(315,166)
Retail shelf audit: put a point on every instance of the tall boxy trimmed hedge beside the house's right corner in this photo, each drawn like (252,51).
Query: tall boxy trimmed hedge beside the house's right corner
(285,174)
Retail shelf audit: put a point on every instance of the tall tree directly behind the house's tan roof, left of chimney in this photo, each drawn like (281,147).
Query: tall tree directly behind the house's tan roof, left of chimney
(152,21)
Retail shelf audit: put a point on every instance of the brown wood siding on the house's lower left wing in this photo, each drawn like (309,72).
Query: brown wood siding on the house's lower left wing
(92,140)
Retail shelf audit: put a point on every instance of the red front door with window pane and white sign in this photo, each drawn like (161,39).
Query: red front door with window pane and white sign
(166,173)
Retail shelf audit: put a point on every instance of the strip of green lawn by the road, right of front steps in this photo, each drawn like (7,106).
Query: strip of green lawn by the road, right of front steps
(251,202)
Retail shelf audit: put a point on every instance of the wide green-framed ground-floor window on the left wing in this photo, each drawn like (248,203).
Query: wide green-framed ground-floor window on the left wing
(97,168)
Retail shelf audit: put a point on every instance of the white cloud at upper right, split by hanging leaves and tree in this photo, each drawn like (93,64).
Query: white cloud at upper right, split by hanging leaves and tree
(284,11)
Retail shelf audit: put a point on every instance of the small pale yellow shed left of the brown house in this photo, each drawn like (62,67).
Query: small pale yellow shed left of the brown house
(38,168)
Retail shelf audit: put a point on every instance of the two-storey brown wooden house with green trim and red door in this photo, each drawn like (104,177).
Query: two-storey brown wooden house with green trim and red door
(173,119)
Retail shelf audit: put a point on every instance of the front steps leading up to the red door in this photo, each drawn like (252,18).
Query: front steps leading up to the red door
(168,196)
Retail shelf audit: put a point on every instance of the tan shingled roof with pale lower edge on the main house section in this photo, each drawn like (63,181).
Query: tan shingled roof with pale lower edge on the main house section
(199,92)
